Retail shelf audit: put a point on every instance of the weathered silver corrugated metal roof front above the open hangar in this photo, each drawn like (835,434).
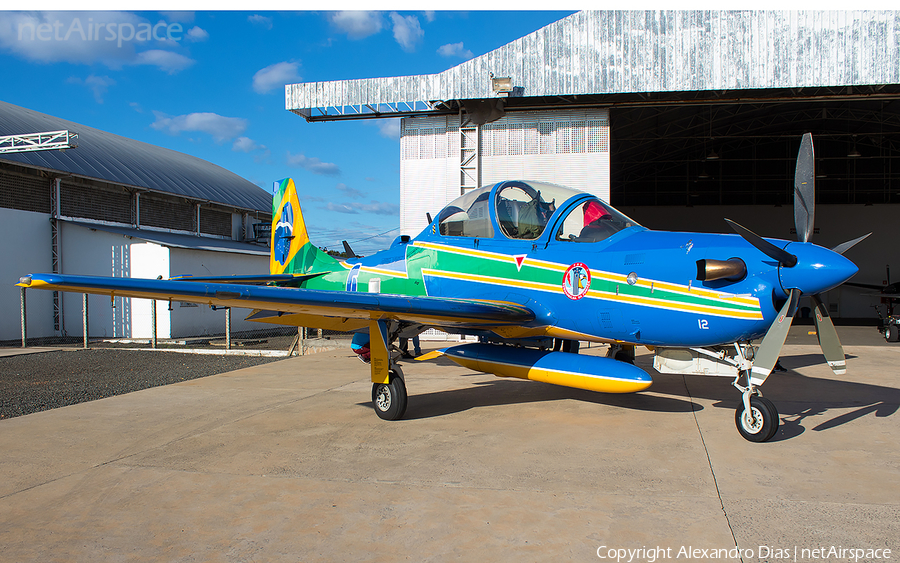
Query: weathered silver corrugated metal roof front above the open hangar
(607,52)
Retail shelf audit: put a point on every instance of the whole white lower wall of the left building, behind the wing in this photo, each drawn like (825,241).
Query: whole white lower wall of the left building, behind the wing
(25,249)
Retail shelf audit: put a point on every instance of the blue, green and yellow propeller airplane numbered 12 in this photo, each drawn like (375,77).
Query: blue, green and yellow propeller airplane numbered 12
(531,269)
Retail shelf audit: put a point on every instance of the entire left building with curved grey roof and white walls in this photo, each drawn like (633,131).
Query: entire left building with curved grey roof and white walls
(114,206)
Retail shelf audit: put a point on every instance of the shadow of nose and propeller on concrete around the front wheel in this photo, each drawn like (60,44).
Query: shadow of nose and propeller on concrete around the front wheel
(799,397)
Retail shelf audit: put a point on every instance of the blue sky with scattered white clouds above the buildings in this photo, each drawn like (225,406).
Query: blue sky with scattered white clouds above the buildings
(210,84)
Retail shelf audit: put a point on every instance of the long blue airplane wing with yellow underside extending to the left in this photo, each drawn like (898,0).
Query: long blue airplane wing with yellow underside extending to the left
(436,311)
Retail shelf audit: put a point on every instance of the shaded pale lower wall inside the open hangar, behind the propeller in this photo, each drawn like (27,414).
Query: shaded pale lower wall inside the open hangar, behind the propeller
(835,224)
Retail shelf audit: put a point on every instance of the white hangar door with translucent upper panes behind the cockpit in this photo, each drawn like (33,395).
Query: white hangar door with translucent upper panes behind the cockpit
(440,160)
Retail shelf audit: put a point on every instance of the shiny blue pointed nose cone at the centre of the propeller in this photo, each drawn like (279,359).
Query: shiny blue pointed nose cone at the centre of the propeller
(818,269)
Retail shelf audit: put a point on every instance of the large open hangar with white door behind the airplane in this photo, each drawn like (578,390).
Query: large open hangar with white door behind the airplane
(679,118)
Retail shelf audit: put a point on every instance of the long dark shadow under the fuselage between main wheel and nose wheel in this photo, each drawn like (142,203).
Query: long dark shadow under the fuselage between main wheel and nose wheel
(510,392)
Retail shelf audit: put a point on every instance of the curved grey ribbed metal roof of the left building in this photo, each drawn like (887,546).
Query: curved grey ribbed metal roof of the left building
(120,160)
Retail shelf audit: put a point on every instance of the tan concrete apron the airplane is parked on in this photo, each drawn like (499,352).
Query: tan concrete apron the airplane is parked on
(287,462)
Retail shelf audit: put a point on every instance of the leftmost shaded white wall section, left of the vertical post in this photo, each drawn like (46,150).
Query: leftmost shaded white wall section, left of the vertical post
(24,249)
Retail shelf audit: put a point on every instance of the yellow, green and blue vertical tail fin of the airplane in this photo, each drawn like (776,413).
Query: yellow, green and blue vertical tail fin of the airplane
(291,252)
